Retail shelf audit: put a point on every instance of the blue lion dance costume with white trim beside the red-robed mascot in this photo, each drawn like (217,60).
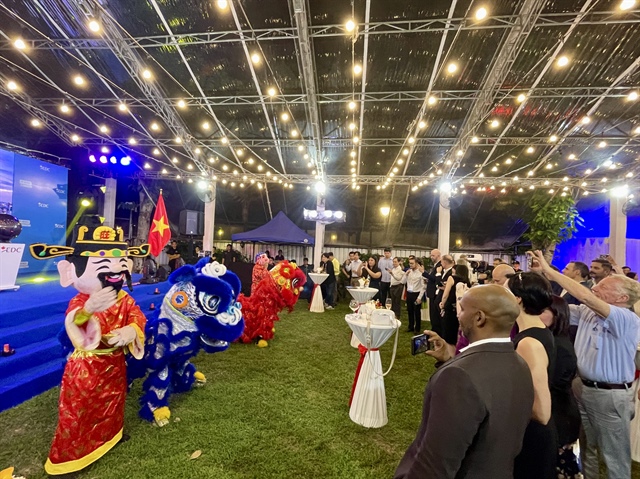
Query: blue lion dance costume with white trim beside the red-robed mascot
(198,312)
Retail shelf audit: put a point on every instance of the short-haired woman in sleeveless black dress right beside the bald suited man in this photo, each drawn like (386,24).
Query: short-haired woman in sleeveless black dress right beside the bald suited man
(535,344)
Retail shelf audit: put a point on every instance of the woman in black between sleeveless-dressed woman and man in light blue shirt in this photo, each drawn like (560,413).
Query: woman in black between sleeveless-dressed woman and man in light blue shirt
(564,407)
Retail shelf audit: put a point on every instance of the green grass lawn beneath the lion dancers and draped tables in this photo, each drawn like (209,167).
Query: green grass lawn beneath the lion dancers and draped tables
(277,412)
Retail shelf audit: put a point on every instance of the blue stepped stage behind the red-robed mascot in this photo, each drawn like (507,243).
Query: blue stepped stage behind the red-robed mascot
(30,321)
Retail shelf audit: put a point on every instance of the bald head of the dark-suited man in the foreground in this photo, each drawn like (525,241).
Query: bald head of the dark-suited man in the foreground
(487,311)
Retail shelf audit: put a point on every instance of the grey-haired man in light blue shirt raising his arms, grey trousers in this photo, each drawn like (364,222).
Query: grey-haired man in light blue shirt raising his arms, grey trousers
(606,343)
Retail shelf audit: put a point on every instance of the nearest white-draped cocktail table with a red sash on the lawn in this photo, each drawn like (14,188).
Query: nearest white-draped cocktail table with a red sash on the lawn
(368,406)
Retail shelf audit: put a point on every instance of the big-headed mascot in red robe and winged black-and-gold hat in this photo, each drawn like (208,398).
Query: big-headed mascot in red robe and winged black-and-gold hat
(103,324)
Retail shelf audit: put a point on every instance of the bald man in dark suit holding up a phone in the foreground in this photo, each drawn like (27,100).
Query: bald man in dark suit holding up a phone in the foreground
(477,405)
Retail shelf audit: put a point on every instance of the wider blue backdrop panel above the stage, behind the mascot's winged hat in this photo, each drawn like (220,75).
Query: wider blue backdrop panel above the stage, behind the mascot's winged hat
(40,203)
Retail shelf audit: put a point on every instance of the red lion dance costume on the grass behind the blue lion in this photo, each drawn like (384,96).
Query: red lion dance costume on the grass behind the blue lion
(278,290)
